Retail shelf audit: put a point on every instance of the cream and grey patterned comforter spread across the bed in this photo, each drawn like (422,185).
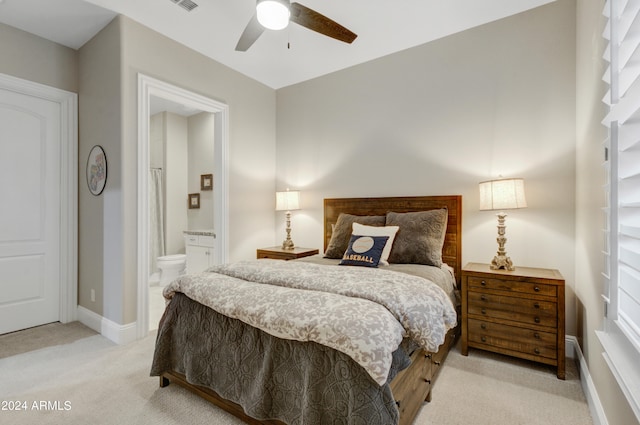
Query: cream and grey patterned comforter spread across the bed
(363,313)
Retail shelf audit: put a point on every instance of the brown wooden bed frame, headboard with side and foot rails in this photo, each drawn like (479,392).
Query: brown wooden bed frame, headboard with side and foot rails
(413,385)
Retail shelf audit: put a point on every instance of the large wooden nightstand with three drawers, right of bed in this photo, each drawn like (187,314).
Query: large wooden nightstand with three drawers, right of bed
(518,313)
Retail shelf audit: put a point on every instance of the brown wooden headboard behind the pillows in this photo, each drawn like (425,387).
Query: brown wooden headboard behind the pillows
(452,249)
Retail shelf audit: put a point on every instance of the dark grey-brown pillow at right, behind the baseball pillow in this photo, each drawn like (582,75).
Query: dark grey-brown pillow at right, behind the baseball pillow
(420,238)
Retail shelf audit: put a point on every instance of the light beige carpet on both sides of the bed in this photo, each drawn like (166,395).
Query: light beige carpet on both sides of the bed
(90,380)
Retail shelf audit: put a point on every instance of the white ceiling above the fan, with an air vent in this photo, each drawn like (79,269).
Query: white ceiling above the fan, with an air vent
(213,29)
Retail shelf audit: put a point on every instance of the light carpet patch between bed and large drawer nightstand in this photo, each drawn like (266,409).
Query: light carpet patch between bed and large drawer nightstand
(489,389)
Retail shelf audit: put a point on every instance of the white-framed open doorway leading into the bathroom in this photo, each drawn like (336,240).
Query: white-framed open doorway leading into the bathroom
(182,185)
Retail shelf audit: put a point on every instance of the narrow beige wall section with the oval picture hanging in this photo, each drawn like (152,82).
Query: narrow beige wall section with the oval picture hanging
(100,253)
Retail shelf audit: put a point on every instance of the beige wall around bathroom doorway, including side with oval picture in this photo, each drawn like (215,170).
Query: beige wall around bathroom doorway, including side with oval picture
(109,65)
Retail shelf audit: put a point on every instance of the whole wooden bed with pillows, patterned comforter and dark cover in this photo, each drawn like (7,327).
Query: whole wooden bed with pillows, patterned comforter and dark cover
(264,377)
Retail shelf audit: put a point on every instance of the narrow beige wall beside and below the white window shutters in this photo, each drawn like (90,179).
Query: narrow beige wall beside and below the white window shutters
(589,243)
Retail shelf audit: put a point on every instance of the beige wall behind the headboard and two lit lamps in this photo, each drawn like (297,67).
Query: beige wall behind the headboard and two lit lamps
(495,100)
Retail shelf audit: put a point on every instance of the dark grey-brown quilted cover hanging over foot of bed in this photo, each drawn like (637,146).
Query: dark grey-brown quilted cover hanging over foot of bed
(271,378)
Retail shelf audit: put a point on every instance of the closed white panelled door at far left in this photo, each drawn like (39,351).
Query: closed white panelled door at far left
(30,190)
